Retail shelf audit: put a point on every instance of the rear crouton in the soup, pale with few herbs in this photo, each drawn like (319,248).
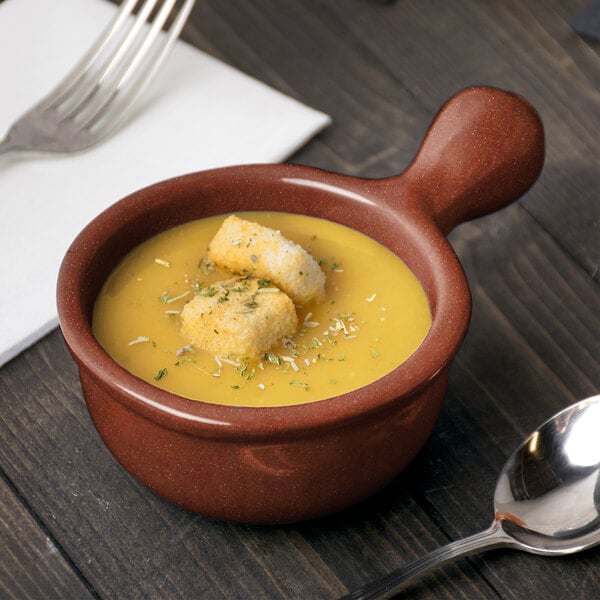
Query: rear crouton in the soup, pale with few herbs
(246,247)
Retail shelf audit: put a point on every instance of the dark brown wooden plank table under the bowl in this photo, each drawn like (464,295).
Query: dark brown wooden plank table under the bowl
(73,523)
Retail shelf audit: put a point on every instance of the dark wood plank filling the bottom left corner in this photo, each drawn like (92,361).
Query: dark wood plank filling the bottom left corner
(32,566)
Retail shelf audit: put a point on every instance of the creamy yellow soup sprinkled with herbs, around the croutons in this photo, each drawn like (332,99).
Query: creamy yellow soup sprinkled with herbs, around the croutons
(373,317)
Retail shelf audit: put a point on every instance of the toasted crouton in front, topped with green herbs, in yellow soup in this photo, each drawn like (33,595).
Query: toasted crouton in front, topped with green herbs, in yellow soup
(239,318)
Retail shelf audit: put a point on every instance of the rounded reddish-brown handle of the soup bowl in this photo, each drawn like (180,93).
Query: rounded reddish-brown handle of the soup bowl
(484,149)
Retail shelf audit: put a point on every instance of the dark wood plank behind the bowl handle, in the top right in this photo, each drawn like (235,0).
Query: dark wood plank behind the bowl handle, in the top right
(547,63)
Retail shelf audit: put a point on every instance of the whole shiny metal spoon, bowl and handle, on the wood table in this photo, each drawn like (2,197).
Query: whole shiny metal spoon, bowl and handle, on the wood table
(547,499)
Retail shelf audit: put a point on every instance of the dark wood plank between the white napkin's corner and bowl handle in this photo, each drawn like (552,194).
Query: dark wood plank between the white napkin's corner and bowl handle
(308,52)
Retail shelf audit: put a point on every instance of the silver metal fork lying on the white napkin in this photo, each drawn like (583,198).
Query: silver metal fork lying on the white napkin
(95,97)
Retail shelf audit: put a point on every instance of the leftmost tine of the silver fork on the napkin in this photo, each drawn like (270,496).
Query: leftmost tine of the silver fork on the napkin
(64,88)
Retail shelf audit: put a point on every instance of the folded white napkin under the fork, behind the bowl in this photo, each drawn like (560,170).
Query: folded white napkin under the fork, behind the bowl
(199,113)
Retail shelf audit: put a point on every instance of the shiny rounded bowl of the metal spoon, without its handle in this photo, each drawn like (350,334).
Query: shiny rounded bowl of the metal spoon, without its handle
(548,494)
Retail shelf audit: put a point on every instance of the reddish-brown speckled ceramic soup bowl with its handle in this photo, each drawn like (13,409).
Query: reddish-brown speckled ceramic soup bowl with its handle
(271,465)
